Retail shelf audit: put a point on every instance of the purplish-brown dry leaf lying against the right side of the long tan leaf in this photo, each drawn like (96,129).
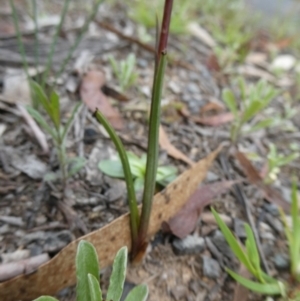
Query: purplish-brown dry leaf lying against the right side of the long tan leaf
(185,221)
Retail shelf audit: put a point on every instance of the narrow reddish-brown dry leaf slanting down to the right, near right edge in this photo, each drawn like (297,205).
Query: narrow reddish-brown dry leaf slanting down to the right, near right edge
(254,177)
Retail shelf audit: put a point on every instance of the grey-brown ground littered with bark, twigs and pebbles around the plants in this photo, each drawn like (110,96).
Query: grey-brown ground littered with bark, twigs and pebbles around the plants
(35,216)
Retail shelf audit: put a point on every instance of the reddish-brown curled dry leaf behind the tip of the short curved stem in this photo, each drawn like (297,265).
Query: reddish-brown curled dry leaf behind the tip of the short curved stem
(93,97)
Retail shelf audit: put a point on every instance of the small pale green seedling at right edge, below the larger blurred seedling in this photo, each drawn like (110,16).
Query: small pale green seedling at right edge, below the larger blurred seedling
(276,160)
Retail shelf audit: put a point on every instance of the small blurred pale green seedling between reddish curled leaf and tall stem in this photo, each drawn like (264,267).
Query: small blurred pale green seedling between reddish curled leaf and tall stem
(124,71)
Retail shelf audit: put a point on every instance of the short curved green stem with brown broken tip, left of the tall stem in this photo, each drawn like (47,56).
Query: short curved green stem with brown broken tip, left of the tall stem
(134,214)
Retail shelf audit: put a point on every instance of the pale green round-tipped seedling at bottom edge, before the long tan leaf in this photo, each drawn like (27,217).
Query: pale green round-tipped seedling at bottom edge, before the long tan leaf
(87,273)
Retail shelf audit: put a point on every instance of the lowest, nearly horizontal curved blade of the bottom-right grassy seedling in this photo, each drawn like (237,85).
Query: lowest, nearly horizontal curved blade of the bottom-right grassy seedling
(266,288)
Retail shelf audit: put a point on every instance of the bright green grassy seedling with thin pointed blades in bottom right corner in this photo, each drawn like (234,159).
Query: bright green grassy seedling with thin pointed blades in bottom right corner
(249,256)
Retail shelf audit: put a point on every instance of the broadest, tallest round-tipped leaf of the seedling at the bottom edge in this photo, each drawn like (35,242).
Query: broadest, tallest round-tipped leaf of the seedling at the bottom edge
(86,263)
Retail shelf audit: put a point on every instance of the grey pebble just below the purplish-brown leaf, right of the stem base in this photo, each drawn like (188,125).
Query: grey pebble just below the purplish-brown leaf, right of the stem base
(189,245)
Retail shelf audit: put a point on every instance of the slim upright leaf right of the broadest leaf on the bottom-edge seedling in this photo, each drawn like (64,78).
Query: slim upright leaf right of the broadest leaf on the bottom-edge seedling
(117,278)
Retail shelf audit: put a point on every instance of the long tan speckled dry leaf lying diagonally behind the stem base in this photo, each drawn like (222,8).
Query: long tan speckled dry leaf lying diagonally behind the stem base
(59,272)
